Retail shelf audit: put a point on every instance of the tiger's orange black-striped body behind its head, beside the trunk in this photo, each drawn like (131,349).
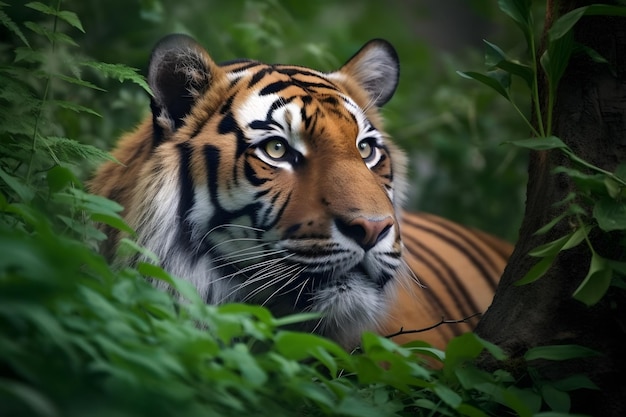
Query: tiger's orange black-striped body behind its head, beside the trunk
(458,269)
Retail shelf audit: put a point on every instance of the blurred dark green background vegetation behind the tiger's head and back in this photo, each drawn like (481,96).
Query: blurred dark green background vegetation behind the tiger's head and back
(452,128)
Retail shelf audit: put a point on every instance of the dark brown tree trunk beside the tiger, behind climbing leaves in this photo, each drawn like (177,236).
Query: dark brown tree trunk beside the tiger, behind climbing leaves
(590,117)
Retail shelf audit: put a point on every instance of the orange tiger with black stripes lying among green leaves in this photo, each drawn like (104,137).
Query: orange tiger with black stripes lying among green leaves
(276,185)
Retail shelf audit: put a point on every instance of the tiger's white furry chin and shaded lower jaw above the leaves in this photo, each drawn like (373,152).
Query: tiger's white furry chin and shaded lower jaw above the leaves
(355,297)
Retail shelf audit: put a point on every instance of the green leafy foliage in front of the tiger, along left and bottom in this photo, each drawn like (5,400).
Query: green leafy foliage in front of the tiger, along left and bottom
(81,337)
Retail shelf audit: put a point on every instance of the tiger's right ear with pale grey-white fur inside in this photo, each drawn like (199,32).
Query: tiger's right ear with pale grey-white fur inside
(376,68)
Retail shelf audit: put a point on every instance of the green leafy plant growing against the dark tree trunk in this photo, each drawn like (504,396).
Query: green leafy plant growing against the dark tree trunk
(599,202)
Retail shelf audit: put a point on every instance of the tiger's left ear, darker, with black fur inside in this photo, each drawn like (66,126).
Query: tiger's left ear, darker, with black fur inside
(180,72)
